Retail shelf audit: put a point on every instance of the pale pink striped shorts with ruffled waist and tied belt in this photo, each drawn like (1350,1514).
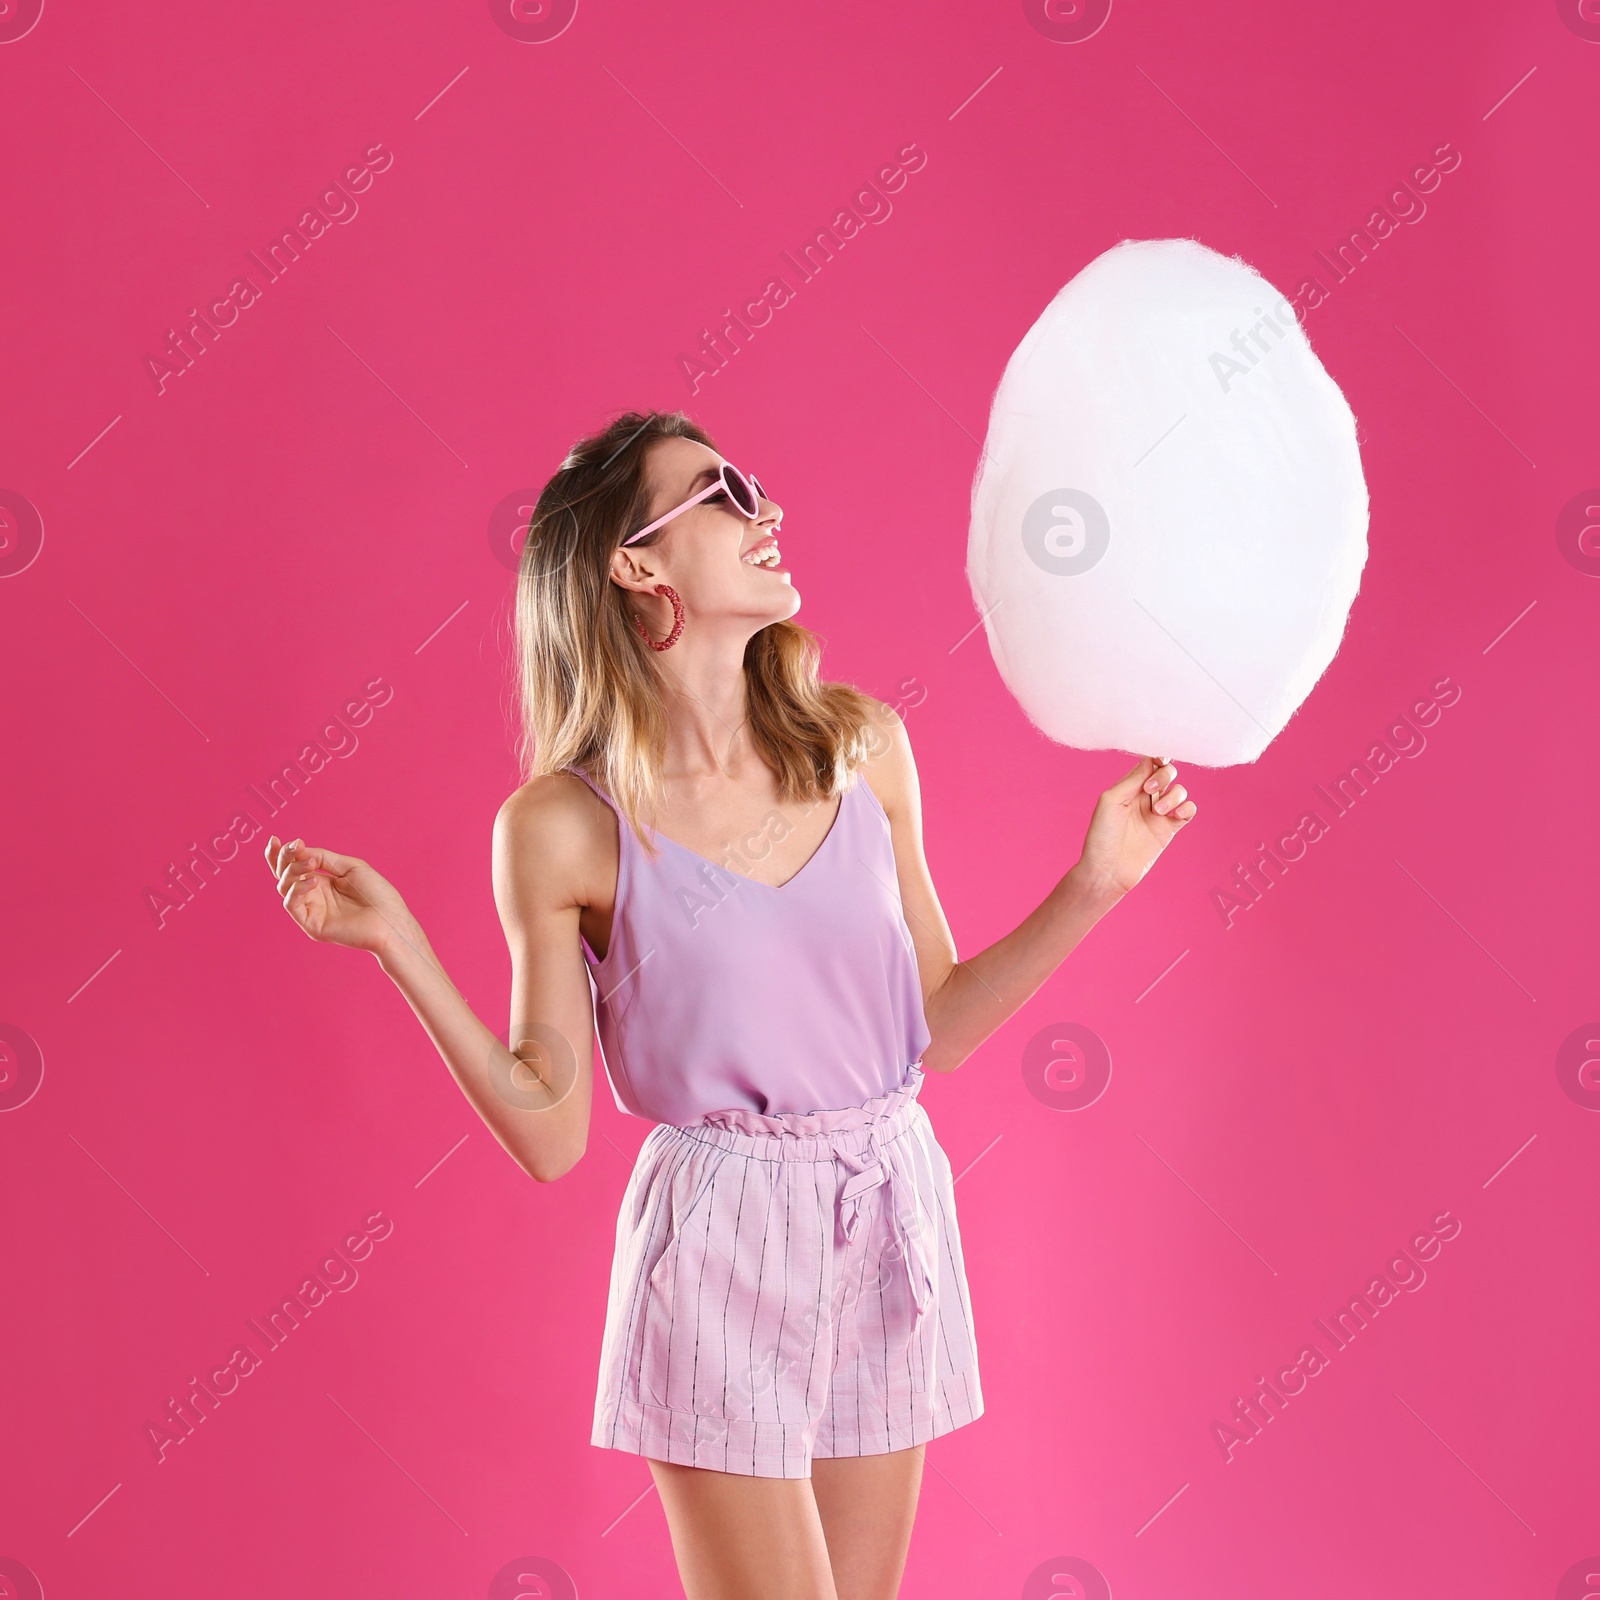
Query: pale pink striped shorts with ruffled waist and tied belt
(788,1289)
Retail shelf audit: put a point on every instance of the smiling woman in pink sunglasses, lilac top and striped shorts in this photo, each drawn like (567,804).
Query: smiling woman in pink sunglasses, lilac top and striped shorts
(718,858)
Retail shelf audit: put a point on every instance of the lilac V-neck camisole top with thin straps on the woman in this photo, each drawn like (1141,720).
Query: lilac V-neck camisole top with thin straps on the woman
(722,993)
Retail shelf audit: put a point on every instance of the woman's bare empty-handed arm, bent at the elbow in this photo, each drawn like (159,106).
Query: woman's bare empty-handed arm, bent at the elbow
(534,1097)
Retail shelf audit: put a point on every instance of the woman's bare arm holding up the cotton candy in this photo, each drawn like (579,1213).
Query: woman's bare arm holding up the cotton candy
(967,1001)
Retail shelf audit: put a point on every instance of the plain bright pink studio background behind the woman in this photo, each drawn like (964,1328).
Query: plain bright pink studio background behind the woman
(308,510)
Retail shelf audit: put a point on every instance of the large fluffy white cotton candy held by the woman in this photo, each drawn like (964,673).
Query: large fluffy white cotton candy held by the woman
(1170,516)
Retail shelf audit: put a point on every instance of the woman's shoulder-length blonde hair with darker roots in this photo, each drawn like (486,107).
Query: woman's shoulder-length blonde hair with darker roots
(590,687)
